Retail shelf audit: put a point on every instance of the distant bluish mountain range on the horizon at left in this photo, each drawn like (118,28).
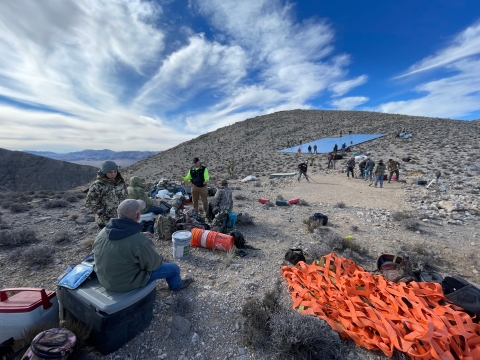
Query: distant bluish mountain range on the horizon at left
(96,155)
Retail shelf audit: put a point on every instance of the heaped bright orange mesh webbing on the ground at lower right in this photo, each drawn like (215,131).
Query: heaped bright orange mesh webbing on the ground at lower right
(377,314)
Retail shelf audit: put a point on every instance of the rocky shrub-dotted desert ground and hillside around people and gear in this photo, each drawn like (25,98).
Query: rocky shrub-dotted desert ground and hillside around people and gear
(205,320)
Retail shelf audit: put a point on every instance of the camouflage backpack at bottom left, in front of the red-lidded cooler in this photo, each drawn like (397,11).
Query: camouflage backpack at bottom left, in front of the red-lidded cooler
(57,343)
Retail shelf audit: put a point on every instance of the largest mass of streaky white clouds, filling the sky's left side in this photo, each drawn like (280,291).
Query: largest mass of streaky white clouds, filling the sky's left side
(107,64)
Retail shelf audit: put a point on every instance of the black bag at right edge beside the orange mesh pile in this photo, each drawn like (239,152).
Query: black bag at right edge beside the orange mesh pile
(462,293)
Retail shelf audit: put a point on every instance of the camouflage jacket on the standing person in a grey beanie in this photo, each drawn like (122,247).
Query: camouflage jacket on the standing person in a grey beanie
(104,196)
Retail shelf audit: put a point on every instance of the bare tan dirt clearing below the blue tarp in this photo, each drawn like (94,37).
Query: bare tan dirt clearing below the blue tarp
(354,192)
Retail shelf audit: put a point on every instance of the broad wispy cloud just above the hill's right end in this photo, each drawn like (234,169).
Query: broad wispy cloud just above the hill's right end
(452,96)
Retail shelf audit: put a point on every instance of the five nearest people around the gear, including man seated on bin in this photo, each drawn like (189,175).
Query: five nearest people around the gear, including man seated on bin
(125,257)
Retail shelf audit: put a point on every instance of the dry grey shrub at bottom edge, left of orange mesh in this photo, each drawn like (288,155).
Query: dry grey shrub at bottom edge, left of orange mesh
(273,326)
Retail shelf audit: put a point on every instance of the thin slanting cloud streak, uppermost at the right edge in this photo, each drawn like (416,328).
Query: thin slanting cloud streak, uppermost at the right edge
(465,45)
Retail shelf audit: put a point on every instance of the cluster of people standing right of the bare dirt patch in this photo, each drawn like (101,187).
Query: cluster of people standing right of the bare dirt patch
(368,170)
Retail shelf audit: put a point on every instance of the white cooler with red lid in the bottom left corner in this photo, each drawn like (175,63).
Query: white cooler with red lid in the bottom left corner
(29,306)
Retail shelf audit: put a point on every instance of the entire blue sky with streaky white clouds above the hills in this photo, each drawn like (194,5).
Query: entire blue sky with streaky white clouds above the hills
(147,75)
